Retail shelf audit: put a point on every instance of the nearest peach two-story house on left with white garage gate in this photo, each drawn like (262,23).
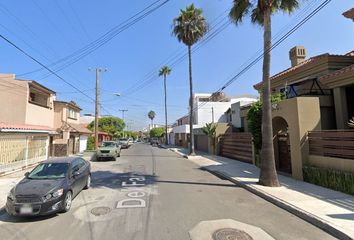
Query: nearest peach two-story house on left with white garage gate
(26,122)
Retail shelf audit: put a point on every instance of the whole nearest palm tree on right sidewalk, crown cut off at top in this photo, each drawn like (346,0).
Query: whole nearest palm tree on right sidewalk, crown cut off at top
(261,11)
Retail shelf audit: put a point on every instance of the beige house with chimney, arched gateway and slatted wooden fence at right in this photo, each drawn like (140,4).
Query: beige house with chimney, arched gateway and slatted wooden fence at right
(319,95)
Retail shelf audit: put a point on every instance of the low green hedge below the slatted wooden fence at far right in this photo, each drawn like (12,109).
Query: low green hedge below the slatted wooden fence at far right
(330,178)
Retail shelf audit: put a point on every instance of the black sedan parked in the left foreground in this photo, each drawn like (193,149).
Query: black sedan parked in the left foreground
(50,187)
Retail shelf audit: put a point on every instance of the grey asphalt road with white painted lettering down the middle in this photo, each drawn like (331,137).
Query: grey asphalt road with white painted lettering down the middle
(153,194)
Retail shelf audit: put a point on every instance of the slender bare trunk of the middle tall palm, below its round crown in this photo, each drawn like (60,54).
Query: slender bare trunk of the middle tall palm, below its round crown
(191,140)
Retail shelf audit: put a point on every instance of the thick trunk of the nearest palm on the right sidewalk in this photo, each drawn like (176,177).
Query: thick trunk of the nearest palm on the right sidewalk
(268,175)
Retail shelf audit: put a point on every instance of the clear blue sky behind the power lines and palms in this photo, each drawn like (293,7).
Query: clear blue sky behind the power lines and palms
(50,30)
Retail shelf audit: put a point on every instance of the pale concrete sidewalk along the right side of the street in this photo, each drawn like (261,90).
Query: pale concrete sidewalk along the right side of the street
(329,210)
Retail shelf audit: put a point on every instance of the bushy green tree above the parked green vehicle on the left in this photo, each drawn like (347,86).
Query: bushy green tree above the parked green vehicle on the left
(112,125)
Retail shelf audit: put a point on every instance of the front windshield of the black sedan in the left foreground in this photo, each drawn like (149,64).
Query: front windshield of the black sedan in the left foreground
(49,171)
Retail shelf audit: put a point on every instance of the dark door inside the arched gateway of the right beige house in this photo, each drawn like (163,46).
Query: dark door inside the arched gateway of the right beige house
(284,153)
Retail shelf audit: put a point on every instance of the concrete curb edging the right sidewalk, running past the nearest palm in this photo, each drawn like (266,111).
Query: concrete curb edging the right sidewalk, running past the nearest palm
(314,220)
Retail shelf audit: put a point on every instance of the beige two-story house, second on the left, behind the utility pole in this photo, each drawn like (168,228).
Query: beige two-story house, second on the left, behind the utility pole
(72,137)
